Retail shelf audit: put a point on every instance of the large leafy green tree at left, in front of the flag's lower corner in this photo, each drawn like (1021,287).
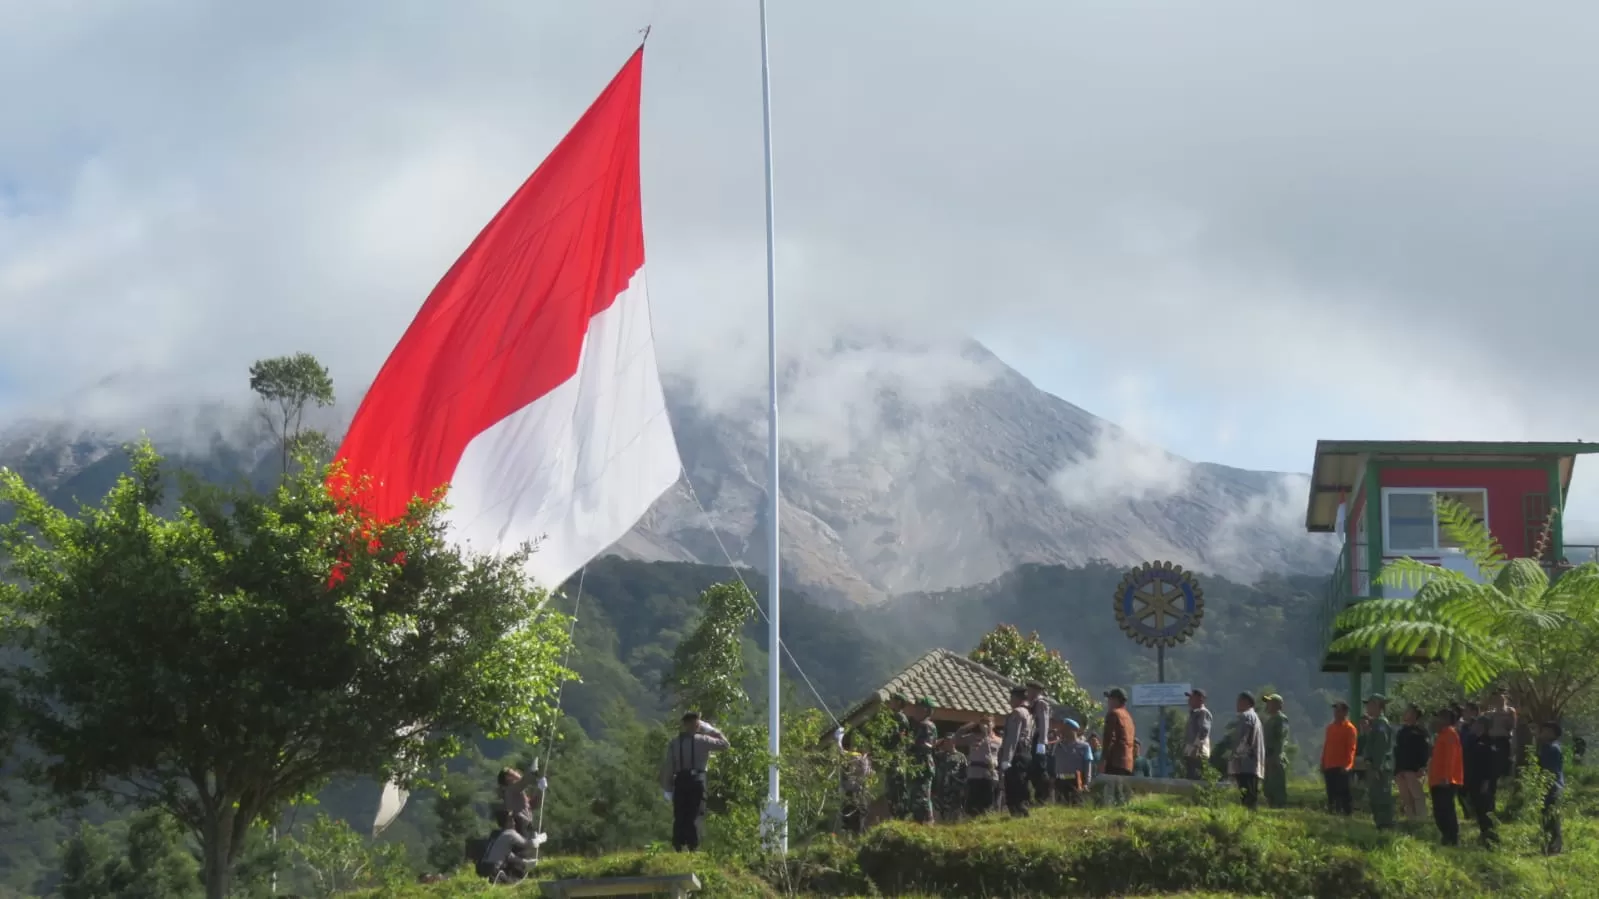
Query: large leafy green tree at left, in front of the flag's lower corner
(231,658)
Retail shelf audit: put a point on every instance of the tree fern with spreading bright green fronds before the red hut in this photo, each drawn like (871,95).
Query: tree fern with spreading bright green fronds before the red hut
(1517,626)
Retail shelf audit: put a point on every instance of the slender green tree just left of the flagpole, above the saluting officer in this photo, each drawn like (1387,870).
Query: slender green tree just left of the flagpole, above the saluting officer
(708,668)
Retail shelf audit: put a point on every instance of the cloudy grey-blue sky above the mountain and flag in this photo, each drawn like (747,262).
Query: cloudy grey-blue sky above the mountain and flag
(1235,228)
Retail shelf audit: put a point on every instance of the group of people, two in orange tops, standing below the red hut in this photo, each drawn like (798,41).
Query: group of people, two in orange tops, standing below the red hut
(1454,757)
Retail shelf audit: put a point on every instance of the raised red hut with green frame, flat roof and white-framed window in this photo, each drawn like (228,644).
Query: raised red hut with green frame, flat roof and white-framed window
(1379,498)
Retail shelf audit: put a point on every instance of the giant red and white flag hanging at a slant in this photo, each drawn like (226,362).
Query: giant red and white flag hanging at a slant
(528,380)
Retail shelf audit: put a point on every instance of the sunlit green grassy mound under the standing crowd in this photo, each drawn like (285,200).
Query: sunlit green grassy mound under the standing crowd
(1152,847)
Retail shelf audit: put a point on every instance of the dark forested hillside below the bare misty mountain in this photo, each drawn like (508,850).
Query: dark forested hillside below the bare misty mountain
(629,621)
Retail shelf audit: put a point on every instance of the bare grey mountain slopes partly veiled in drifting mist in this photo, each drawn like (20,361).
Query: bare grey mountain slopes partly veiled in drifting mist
(906,468)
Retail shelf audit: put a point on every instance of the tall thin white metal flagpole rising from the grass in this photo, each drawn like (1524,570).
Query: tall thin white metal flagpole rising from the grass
(775,823)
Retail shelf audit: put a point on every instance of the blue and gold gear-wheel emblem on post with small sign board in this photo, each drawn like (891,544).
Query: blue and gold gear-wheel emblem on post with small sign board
(1160,605)
